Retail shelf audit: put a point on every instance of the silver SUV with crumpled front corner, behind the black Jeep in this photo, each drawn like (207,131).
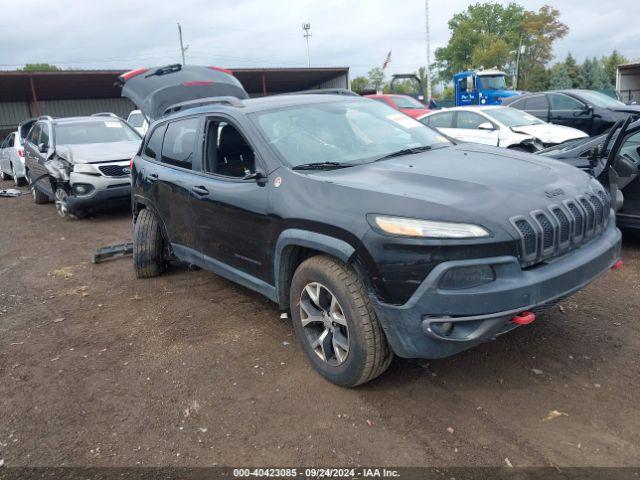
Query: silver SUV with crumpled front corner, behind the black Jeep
(80,162)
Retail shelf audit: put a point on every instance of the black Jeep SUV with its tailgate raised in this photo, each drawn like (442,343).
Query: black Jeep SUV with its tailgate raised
(377,234)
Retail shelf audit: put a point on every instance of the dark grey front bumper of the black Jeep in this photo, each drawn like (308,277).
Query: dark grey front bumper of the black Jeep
(482,313)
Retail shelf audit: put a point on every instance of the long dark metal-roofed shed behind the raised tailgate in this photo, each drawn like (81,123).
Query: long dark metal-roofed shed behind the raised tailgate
(68,93)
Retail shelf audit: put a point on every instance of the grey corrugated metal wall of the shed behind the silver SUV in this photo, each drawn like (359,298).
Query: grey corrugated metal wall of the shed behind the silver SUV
(12,113)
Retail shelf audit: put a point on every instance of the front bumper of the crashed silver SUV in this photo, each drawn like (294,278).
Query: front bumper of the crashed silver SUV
(105,190)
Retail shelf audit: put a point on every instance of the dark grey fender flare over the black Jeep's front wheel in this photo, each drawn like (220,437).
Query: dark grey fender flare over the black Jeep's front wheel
(304,238)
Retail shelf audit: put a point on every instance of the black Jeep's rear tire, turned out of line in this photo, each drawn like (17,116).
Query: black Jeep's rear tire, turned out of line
(149,259)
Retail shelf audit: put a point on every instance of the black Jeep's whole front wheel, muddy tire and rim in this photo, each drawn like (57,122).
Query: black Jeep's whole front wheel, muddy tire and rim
(336,324)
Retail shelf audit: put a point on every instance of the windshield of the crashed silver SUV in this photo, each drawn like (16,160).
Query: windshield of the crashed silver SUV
(106,131)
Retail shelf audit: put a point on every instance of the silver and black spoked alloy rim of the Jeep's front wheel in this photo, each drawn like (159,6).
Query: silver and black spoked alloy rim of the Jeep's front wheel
(324,324)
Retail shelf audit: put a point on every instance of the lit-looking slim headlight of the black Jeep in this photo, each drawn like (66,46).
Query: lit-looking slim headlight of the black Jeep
(409,227)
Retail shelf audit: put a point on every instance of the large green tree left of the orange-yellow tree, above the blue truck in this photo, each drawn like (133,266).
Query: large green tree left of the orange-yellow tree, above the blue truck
(483,35)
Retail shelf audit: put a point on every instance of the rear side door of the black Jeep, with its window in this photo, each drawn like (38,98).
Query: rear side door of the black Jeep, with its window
(167,177)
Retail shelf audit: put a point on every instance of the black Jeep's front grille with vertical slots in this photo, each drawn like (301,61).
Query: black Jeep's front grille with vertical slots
(545,234)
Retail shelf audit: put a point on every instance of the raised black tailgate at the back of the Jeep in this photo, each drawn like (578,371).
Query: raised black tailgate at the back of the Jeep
(153,90)
